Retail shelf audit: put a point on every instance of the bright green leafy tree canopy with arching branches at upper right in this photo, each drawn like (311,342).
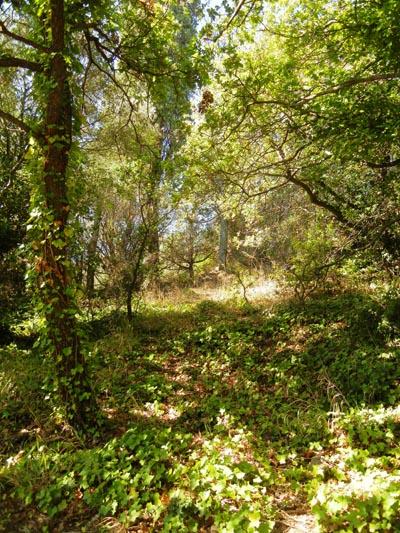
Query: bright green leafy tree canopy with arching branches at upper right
(311,103)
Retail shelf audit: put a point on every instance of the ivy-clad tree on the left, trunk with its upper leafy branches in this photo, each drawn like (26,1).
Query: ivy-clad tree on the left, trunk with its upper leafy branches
(51,40)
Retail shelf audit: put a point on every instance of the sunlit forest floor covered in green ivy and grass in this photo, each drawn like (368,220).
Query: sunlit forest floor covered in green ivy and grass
(222,417)
